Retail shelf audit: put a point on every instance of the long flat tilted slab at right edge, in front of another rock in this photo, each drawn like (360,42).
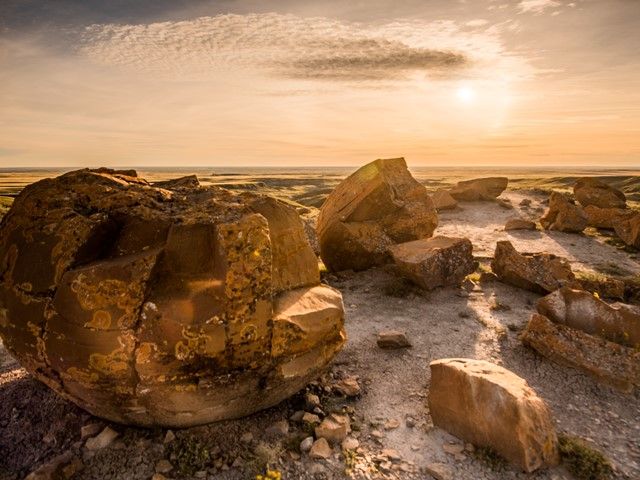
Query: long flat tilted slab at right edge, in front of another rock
(607,362)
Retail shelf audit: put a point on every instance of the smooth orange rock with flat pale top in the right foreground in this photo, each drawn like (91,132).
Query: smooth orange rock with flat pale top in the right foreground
(490,406)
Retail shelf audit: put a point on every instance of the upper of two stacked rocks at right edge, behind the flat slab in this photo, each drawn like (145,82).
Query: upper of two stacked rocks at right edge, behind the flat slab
(618,323)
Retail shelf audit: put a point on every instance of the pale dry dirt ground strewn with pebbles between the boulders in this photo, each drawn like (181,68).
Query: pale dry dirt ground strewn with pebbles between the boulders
(391,412)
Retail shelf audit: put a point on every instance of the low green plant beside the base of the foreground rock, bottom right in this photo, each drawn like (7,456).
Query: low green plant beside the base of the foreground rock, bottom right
(584,462)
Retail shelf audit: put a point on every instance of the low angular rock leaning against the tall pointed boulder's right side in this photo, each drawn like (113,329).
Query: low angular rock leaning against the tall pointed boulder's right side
(435,262)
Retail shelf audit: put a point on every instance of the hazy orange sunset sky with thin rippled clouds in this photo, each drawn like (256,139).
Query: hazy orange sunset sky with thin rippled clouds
(322,82)
